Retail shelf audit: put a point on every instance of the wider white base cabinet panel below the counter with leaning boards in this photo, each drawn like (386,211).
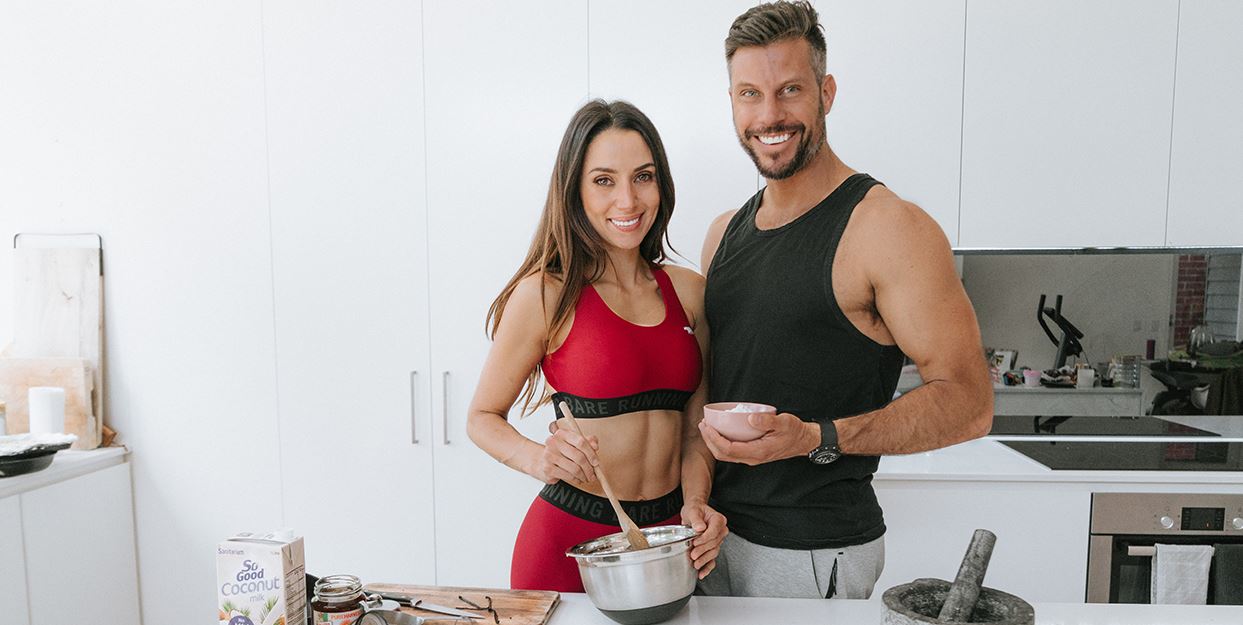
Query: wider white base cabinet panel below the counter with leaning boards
(79,540)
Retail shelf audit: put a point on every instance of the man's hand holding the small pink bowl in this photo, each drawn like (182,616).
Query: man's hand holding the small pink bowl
(785,437)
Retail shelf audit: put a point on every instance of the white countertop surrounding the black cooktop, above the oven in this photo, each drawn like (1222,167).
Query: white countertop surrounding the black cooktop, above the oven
(990,462)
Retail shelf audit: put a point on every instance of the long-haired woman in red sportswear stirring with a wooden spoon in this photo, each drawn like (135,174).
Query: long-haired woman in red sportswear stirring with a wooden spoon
(618,337)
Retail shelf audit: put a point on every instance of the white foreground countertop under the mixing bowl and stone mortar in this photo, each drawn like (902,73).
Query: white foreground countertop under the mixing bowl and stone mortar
(577,609)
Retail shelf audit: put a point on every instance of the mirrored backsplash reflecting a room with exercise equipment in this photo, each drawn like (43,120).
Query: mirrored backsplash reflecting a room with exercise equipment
(1129,309)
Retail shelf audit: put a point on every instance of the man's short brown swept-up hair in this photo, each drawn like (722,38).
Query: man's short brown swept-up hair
(771,23)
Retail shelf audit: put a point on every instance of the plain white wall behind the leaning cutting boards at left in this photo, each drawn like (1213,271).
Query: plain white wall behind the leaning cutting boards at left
(145,122)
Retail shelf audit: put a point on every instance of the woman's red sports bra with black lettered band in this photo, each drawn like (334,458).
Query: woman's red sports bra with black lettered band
(610,367)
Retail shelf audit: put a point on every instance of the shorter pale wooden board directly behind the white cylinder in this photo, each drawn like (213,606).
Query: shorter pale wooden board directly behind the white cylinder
(73,375)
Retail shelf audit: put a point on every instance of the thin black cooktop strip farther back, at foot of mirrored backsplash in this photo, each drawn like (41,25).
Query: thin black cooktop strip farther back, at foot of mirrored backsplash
(1014,426)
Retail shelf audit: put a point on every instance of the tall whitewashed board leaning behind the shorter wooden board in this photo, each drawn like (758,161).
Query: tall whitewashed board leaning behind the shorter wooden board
(59,310)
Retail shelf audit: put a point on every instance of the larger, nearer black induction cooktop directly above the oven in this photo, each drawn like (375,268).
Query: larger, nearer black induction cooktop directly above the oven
(1191,455)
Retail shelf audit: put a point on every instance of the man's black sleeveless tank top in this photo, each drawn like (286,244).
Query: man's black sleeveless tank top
(780,339)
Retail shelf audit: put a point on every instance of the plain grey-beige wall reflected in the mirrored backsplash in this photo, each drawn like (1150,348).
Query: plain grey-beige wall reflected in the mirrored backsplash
(1118,303)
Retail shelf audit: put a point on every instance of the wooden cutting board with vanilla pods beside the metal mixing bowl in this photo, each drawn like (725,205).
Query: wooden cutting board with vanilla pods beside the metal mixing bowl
(514,607)
